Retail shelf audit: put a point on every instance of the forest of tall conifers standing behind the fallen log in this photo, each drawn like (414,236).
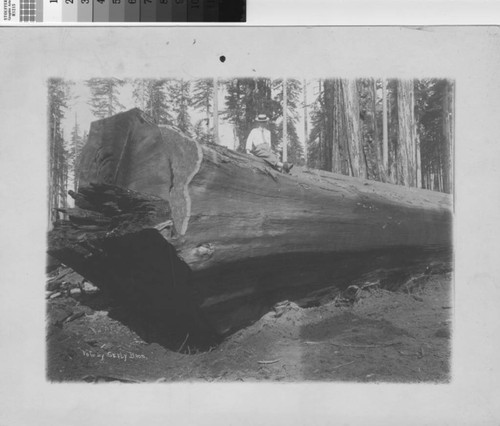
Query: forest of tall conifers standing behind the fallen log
(390,130)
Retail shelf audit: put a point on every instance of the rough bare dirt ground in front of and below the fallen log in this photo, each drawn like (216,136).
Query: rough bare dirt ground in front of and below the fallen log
(382,337)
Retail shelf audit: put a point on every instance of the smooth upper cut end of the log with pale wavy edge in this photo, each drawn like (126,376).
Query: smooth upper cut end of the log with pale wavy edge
(128,150)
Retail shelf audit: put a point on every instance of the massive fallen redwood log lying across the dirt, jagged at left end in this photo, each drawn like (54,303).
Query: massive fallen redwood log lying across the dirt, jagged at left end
(196,234)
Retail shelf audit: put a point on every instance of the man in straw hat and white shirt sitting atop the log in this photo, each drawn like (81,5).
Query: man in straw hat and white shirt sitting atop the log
(259,144)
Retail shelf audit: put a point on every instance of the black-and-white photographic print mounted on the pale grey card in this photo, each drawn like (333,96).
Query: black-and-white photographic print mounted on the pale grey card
(250,229)
